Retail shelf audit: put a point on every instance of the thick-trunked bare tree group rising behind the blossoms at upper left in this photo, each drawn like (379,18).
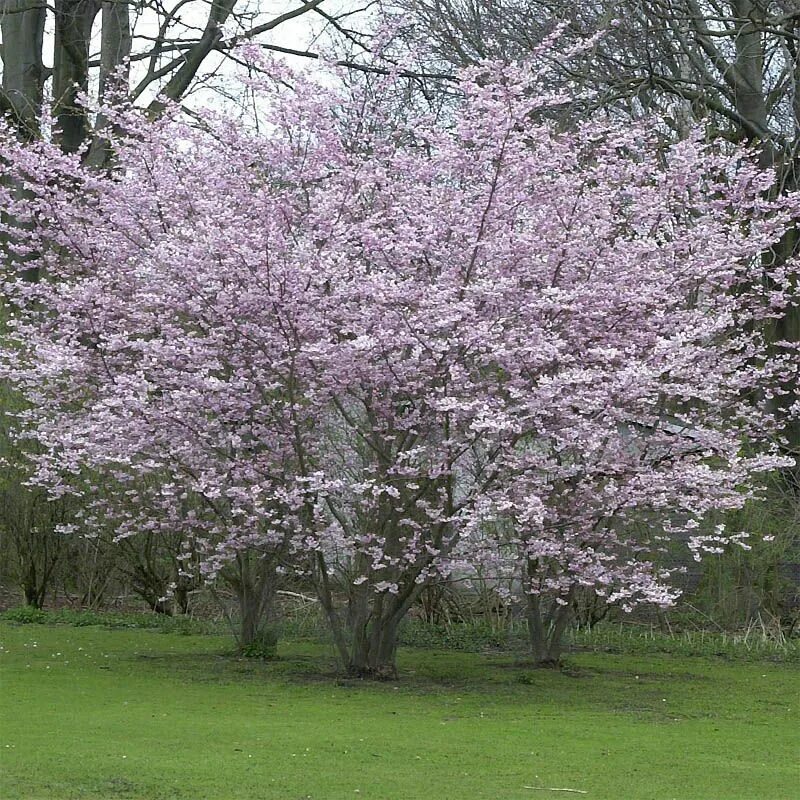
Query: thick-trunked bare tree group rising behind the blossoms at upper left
(167,48)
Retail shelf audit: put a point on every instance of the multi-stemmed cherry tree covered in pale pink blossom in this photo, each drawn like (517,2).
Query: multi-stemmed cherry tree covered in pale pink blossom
(390,350)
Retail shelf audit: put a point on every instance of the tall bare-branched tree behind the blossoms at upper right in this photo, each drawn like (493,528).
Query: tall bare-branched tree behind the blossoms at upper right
(732,66)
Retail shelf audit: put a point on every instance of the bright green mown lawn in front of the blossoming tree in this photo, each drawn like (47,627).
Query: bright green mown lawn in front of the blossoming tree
(95,713)
